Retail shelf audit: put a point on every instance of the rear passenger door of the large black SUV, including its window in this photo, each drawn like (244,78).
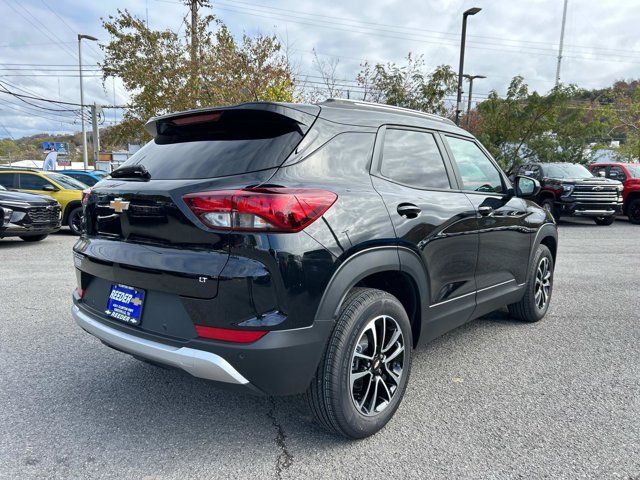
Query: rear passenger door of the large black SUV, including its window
(431,218)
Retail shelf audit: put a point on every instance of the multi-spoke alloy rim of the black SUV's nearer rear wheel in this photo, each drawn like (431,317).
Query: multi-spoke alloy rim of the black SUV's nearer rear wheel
(376,365)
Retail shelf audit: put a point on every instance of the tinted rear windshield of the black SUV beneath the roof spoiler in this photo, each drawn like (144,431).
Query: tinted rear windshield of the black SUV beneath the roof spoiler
(218,144)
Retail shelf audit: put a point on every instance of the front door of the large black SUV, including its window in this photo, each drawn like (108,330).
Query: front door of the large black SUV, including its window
(503,225)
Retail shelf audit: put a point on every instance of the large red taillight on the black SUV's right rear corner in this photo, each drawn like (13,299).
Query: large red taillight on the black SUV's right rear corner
(261,209)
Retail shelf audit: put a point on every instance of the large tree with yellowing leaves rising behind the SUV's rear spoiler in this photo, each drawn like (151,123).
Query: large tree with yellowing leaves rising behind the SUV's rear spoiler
(157,68)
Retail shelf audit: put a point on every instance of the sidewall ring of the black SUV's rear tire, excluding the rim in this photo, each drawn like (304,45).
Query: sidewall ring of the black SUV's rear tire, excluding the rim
(354,423)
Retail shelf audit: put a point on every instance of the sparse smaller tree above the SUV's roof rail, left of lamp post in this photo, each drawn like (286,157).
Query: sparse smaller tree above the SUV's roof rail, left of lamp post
(409,85)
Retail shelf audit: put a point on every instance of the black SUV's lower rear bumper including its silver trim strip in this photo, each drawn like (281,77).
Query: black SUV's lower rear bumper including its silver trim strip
(283,362)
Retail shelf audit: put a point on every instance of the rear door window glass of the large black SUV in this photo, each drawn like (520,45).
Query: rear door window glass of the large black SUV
(413,158)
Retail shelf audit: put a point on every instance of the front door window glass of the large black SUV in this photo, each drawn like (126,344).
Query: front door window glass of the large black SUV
(478,173)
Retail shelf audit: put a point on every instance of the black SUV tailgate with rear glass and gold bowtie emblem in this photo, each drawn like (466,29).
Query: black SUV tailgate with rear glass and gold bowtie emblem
(141,233)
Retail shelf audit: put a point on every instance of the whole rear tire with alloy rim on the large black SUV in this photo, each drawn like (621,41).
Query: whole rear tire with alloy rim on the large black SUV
(331,395)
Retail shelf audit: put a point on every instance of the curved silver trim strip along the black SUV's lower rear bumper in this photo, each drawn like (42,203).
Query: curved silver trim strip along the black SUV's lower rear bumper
(198,363)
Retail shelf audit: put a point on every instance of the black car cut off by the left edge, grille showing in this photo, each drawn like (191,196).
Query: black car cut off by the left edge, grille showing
(30,217)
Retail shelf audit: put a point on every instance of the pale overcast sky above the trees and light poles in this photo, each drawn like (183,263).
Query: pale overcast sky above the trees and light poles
(38,47)
